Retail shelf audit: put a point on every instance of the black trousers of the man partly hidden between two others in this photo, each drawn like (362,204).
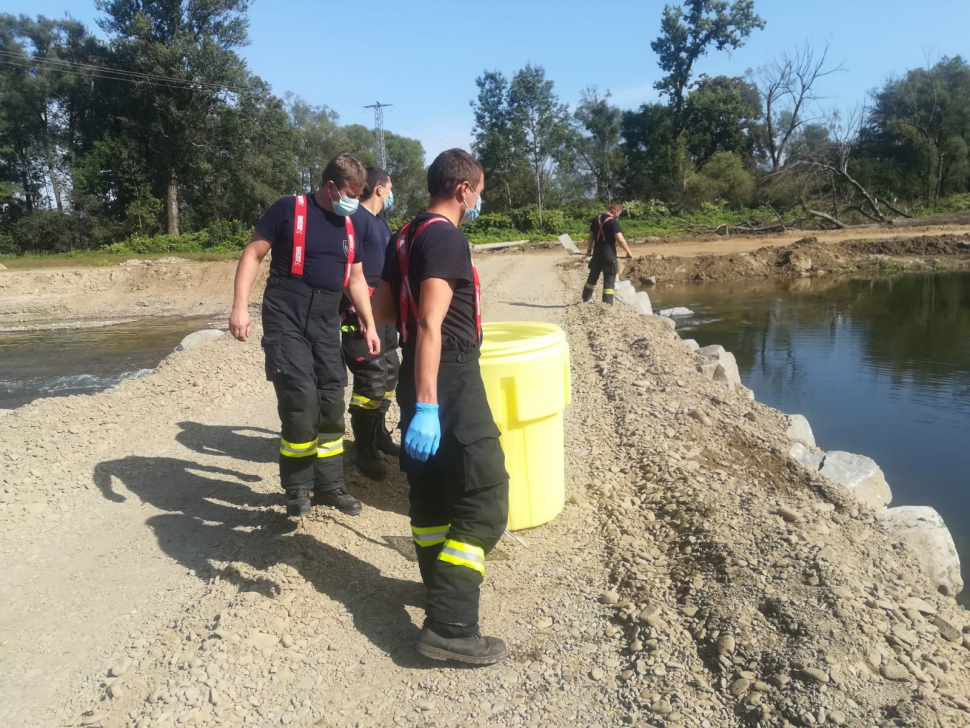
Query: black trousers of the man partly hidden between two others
(375,377)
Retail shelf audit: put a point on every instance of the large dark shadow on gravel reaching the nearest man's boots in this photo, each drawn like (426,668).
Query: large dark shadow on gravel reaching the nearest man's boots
(213,517)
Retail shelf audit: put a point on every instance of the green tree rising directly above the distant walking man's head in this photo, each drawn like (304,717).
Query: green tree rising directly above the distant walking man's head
(598,141)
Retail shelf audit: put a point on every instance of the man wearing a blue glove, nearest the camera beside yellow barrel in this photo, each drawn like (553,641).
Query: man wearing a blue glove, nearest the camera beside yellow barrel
(459,488)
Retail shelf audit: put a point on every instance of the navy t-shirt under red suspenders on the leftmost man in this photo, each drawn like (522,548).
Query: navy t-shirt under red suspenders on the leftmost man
(326,242)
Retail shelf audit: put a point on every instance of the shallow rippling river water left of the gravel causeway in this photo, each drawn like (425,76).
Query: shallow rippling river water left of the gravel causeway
(62,361)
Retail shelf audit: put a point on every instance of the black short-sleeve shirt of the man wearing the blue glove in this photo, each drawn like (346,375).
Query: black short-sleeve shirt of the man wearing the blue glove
(440,251)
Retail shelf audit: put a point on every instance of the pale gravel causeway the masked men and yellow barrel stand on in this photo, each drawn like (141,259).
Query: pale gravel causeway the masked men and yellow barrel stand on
(697,577)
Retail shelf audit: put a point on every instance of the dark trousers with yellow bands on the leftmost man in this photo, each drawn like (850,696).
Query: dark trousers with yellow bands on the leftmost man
(301,340)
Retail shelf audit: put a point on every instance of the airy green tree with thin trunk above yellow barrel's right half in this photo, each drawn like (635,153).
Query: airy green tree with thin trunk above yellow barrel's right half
(542,126)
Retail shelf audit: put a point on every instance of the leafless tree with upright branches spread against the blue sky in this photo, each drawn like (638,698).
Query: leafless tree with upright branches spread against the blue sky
(788,91)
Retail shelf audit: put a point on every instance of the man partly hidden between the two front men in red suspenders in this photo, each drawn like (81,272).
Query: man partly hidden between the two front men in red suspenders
(375,377)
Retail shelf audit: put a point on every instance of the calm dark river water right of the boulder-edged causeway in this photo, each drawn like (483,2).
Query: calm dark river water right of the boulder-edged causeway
(880,368)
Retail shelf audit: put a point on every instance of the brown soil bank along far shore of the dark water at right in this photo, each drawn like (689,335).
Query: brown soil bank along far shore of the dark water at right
(809,258)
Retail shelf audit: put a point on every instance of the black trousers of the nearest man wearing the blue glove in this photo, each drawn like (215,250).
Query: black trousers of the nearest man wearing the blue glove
(459,496)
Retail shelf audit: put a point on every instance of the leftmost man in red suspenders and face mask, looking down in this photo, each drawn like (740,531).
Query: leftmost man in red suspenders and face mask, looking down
(314,262)
